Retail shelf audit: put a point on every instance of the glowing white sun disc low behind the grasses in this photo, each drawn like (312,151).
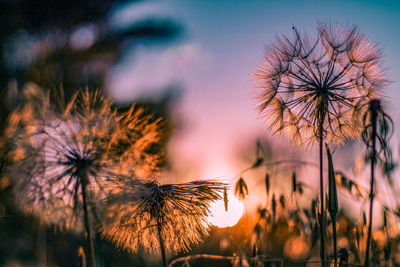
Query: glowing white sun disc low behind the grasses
(221,218)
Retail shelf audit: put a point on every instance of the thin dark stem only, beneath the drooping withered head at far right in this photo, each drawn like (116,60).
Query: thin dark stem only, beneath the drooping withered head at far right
(371,193)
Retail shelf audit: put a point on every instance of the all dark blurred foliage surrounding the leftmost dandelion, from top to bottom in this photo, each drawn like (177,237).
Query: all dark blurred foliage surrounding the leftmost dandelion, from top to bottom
(65,46)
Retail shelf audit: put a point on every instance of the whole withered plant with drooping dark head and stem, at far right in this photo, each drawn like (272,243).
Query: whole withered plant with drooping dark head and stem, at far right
(378,127)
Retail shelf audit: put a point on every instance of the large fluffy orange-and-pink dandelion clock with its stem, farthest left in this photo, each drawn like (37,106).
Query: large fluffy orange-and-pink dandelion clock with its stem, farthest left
(66,154)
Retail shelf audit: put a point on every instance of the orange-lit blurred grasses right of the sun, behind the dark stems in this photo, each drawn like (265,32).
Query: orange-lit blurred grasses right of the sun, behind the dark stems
(286,227)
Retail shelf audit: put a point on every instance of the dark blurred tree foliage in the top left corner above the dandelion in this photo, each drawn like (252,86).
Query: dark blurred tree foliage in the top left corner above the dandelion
(71,44)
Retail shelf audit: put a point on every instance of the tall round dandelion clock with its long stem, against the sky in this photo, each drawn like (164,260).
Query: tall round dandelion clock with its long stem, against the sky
(314,89)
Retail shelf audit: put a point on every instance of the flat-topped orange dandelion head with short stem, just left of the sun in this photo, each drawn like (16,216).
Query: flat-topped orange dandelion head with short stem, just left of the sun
(159,217)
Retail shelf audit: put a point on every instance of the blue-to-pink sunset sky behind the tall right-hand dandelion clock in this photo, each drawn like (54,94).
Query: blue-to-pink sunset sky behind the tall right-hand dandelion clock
(214,62)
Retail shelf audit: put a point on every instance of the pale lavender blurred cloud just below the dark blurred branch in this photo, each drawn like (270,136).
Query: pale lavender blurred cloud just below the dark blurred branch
(151,70)
